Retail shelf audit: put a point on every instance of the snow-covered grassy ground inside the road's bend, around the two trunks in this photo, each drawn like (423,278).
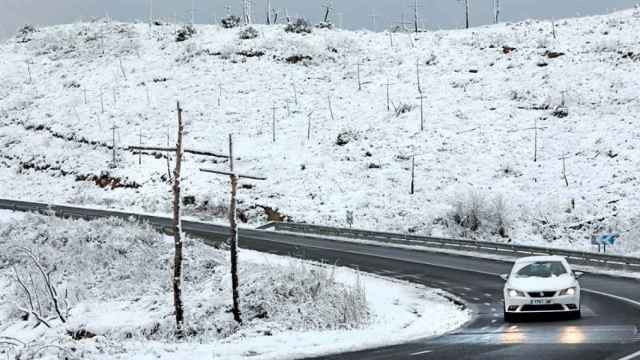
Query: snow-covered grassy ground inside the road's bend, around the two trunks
(113,278)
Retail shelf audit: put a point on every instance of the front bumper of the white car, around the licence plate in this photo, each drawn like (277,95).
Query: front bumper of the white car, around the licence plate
(542,305)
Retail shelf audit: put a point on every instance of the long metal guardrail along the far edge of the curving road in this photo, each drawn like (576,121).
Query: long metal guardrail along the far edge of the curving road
(576,257)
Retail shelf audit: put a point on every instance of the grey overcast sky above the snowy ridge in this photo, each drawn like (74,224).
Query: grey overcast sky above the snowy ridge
(354,14)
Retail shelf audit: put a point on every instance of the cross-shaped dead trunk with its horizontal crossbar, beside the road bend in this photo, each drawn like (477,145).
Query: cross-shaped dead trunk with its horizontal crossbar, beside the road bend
(233,226)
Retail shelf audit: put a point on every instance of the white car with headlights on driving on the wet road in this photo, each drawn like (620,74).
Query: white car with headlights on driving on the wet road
(541,284)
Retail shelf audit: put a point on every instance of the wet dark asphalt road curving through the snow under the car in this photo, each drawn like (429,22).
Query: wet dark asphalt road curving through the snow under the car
(609,328)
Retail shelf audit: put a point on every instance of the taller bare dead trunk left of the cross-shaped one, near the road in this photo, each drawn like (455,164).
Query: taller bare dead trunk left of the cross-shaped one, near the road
(177,229)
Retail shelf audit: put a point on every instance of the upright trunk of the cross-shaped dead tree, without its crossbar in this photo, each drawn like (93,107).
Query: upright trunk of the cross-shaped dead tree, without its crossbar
(234,236)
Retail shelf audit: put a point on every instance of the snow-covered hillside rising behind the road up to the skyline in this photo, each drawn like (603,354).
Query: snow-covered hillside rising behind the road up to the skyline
(485,90)
